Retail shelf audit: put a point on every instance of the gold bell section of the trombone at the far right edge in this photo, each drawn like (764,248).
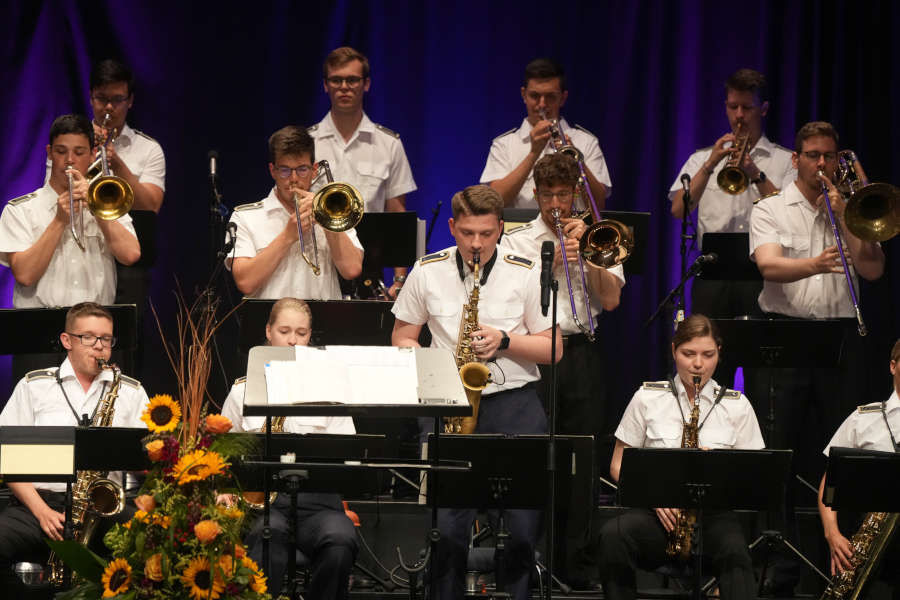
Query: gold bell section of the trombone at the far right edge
(873,209)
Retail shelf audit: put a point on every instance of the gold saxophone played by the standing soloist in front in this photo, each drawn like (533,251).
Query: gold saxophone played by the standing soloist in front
(475,375)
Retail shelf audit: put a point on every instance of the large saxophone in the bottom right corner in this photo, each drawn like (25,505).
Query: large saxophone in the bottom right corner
(868,545)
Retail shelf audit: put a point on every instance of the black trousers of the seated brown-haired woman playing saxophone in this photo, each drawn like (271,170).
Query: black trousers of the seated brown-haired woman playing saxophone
(637,540)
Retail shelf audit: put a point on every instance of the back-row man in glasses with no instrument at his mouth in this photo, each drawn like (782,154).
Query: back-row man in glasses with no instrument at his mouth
(364,154)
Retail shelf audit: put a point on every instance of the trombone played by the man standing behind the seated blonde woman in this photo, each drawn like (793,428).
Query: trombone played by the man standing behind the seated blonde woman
(337,207)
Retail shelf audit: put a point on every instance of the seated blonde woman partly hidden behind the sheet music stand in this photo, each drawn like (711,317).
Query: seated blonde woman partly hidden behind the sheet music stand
(324,533)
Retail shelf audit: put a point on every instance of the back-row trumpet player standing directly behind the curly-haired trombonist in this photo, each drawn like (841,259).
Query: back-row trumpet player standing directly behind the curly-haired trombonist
(514,153)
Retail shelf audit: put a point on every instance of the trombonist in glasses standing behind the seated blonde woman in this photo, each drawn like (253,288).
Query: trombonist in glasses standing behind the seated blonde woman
(267,261)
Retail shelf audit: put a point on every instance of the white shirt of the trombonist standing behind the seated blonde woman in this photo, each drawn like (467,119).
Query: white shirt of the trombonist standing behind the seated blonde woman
(257,225)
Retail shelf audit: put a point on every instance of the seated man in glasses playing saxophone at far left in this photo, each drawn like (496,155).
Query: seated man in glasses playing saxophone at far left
(63,396)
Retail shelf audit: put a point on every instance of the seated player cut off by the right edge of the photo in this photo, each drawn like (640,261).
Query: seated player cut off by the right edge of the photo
(873,426)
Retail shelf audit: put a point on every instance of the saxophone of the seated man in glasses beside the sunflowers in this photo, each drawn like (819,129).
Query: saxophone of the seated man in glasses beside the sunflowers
(93,495)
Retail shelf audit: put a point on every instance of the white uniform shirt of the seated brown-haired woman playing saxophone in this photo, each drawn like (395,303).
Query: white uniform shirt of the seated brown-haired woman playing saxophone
(653,419)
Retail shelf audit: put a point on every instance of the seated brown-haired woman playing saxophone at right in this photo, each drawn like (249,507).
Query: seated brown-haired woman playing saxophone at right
(656,417)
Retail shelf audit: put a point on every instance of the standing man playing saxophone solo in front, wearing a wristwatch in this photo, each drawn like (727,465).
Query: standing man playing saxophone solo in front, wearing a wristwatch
(511,335)
